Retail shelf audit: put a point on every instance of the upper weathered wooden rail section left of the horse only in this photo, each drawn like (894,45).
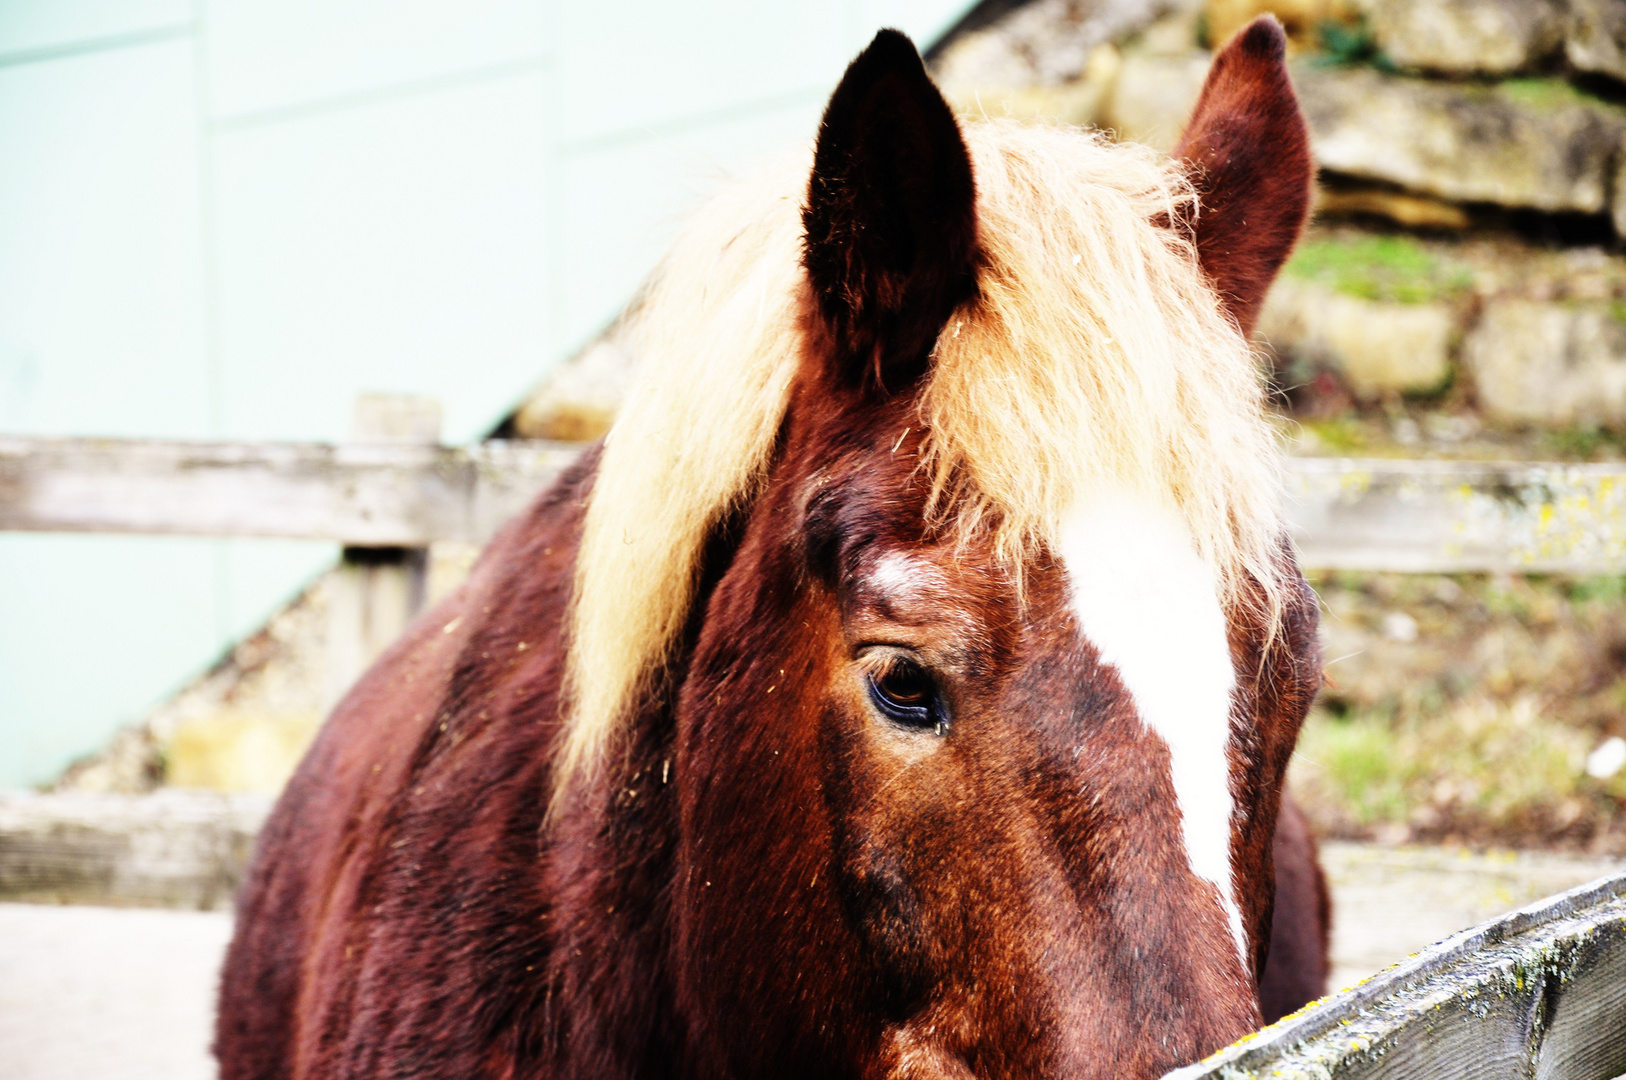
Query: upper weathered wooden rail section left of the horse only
(363,495)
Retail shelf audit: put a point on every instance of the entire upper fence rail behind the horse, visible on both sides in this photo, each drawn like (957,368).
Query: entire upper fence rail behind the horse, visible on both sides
(1346,513)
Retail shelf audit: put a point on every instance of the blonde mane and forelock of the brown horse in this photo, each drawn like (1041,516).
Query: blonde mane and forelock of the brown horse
(1095,357)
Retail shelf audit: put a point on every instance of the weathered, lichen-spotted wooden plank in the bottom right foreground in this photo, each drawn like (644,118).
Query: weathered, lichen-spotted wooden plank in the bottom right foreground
(1537,995)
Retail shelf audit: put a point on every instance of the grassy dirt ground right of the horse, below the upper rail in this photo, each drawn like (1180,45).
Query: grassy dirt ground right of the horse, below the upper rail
(1469,708)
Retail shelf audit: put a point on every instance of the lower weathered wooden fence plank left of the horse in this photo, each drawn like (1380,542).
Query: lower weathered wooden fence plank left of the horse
(172,850)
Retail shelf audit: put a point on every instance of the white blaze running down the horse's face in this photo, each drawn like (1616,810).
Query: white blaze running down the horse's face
(1149,604)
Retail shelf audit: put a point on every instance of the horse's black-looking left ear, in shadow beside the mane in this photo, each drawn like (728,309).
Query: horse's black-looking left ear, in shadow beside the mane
(890,219)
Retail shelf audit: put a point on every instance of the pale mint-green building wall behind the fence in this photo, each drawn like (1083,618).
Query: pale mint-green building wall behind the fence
(225,219)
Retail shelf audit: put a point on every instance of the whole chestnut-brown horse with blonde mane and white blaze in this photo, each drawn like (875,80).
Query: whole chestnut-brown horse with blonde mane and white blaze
(906,686)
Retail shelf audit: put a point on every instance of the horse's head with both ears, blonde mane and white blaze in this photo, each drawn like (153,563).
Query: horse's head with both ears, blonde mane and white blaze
(986,650)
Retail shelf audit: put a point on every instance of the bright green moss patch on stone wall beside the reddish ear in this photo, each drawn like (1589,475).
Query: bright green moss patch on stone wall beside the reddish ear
(1394,269)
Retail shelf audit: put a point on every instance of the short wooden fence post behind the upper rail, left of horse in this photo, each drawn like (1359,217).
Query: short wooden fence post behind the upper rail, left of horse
(378,591)
